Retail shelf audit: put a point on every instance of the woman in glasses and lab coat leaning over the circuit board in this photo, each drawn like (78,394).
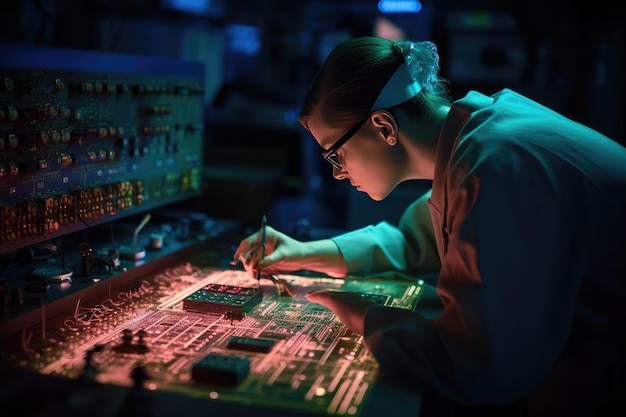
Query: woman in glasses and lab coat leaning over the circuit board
(525,226)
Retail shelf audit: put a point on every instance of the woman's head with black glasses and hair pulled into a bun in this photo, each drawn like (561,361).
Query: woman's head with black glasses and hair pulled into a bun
(363,85)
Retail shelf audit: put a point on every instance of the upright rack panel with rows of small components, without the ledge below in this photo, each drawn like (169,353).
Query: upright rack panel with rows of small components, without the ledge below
(87,137)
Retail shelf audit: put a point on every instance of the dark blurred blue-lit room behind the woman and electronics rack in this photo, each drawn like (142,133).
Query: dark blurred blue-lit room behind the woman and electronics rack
(260,55)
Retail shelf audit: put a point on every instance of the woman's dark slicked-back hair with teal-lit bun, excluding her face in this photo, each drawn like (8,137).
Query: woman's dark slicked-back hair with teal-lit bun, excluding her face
(355,75)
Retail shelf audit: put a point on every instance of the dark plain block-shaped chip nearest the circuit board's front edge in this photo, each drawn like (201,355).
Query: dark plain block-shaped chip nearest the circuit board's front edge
(218,369)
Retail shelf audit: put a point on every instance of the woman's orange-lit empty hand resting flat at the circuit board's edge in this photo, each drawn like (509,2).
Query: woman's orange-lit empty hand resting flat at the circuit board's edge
(349,307)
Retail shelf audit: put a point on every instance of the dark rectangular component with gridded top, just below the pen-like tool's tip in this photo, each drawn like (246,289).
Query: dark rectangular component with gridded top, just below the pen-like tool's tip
(231,300)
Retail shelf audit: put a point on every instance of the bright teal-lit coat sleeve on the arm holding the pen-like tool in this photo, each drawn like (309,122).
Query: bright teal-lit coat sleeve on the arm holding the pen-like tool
(409,248)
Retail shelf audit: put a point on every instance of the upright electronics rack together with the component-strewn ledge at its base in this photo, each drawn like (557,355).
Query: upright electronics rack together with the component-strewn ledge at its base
(90,142)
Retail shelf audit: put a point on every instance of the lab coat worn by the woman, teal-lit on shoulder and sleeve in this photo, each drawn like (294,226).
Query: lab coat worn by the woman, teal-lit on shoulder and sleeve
(528,211)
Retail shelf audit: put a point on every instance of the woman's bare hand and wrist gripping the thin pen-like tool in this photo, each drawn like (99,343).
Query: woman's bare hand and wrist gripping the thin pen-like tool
(285,254)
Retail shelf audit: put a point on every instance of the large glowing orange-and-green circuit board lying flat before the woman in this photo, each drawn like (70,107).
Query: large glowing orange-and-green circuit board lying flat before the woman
(279,351)
